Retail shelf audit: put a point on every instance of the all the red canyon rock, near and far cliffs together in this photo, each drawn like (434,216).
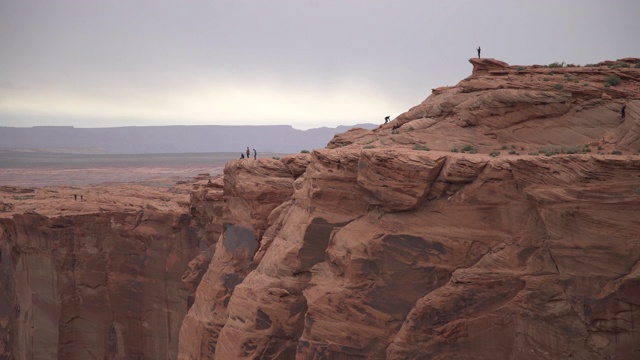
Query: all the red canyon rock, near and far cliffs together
(497,219)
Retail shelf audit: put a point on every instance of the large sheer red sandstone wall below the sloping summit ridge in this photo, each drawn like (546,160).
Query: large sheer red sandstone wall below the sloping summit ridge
(452,256)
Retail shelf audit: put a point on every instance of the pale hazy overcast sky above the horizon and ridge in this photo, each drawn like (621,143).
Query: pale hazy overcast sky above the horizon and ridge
(103,63)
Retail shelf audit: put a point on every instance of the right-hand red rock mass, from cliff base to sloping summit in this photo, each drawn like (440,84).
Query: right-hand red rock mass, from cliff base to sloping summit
(384,249)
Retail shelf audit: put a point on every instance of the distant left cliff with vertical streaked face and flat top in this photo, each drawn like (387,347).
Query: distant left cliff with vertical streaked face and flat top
(93,284)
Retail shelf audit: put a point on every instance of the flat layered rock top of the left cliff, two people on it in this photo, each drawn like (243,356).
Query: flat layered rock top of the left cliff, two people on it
(60,201)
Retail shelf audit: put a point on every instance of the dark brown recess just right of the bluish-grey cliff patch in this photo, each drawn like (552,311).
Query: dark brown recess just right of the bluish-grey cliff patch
(316,241)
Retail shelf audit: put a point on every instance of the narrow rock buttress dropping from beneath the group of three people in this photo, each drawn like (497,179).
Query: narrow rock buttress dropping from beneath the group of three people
(252,190)
